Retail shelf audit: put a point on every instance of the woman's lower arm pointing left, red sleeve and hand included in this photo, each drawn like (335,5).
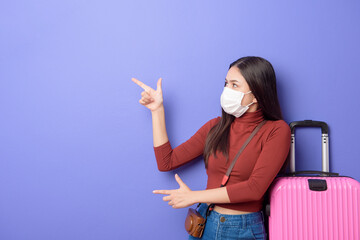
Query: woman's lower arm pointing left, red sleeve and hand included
(266,168)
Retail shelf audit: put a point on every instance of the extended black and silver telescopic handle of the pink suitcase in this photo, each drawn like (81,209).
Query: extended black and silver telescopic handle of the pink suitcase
(324,142)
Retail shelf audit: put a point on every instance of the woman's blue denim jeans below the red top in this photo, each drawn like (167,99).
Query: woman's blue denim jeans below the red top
(223,226)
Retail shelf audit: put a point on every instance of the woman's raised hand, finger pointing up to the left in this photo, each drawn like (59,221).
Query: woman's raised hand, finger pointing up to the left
(150,98)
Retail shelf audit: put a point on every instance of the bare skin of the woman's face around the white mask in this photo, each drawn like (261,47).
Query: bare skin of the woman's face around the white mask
(237,82)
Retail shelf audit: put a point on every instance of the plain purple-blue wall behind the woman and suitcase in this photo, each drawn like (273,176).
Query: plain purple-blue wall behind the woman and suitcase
(76,156)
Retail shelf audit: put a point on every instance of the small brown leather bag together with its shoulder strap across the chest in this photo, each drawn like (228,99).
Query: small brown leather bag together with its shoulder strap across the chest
(194,222)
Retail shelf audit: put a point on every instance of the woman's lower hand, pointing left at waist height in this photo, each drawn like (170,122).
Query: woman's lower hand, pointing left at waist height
(178,198)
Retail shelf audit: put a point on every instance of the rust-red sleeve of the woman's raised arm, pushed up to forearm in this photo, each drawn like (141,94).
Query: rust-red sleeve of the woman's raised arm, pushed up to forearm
(168,158)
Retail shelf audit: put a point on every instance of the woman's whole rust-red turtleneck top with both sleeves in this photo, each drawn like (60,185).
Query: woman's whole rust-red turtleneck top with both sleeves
(254,170)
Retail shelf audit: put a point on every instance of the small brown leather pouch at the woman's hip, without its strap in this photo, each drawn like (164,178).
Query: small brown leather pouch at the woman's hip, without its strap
(194,223)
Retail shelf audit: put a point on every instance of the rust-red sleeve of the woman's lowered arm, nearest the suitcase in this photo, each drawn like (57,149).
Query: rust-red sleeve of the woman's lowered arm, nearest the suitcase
(268,164)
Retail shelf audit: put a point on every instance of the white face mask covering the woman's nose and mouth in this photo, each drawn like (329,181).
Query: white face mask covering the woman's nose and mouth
(231,102)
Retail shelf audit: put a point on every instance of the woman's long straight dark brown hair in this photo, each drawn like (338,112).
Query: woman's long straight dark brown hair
(260,76)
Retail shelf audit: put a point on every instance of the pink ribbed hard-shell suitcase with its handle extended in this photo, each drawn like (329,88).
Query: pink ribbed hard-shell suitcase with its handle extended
(321,207)
